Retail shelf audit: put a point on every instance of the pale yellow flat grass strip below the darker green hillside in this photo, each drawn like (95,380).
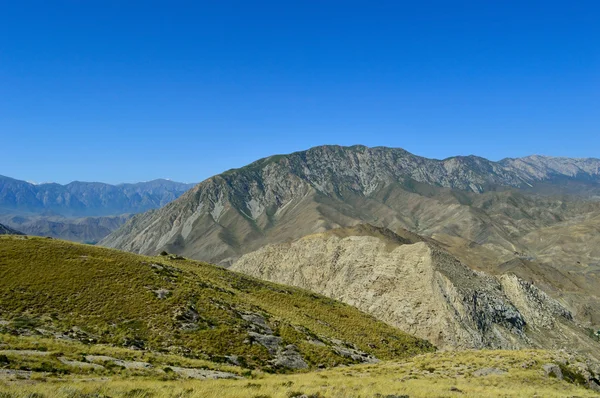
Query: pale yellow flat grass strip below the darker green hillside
(452,376)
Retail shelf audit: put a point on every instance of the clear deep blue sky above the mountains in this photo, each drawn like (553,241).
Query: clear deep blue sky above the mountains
(121,91)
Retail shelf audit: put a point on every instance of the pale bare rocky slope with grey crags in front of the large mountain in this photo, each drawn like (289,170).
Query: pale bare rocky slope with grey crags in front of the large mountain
(412,283)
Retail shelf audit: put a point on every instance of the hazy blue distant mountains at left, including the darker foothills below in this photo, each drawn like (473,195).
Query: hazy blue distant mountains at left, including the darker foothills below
(79,211)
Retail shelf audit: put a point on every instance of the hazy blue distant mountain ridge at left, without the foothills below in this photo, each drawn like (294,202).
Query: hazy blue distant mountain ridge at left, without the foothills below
(82,199)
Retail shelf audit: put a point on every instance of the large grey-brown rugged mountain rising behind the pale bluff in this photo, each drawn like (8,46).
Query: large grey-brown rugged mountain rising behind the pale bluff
(465,198)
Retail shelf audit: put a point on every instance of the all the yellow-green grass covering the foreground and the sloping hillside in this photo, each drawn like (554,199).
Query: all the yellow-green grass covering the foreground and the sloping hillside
(61,302)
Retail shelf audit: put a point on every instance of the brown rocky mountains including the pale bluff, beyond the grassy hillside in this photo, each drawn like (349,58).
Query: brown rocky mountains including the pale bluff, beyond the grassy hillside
(511,255)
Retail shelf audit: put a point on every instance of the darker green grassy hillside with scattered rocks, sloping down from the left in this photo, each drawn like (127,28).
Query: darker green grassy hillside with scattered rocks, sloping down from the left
(169,305)
